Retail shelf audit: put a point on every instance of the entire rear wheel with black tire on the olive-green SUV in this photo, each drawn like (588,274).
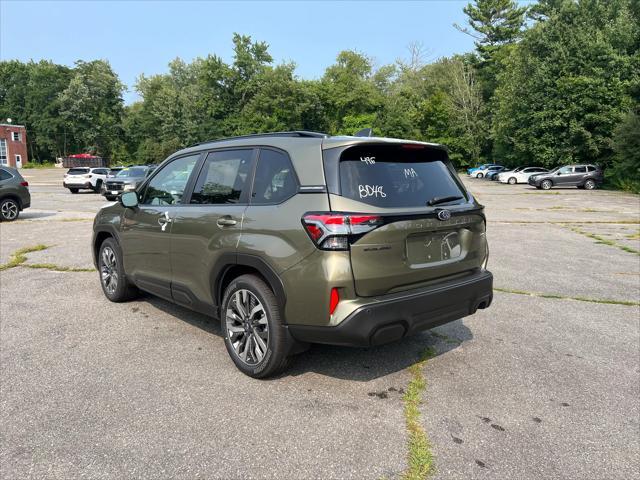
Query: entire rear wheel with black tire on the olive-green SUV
(278,342)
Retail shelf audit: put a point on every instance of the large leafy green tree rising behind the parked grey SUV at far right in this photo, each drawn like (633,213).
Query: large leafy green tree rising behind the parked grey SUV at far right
(567,84)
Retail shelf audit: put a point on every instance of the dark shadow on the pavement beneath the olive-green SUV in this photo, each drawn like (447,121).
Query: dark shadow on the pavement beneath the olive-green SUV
(359,364)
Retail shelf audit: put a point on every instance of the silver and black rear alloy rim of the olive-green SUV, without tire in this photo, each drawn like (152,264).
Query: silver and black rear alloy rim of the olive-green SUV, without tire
(247,327)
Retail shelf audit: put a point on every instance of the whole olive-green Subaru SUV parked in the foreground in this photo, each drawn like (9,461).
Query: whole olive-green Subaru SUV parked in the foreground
(299,237)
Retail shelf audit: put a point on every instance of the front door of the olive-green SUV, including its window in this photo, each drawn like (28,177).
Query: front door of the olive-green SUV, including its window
(146,229)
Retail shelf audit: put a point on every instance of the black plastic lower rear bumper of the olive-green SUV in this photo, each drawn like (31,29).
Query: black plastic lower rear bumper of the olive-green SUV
(404,314)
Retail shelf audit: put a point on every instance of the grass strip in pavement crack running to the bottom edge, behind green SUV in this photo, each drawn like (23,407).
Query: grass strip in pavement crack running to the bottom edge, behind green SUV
(419,457)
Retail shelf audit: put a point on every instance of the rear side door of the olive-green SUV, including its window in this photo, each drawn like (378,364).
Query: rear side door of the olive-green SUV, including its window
(207,227)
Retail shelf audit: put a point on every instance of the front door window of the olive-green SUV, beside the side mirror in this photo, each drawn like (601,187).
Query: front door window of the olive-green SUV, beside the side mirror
(167,187)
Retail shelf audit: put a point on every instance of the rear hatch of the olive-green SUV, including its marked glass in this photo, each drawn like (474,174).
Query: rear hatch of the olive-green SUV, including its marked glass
(430,228)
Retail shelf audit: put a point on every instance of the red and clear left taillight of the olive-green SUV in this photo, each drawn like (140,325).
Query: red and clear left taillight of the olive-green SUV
(331,231)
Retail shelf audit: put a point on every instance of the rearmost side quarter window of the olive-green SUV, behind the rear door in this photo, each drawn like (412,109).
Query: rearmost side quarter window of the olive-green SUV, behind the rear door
(275,180)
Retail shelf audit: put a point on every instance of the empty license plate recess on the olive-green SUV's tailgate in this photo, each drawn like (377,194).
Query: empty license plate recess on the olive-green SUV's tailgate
(434,247)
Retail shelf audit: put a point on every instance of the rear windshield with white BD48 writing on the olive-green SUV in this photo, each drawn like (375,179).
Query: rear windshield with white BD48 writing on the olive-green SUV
(396,176)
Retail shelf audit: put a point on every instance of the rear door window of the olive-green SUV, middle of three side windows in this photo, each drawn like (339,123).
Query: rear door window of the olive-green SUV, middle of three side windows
(223,177)
